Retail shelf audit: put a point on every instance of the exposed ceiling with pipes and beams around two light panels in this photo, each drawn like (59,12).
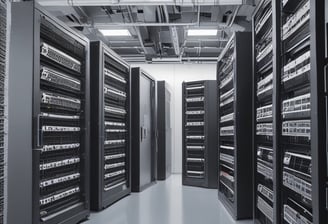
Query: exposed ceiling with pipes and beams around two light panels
(158,29)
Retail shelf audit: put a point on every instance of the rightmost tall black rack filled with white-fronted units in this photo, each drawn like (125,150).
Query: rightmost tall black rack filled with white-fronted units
(294,141)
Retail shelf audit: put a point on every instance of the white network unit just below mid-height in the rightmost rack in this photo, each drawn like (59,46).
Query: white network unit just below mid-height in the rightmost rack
(297,128)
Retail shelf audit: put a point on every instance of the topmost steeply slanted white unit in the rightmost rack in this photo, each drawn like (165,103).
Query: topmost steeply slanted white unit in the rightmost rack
(296,21)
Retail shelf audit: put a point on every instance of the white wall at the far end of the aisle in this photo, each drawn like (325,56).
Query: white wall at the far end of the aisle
(175,74)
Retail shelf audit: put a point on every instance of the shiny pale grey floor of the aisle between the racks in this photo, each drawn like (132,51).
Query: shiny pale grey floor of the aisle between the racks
(167,202)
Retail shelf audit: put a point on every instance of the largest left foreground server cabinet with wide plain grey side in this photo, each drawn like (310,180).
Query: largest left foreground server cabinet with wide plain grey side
(48,167)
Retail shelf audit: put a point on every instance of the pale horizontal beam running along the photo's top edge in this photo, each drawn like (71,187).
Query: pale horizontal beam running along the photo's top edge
(143,2)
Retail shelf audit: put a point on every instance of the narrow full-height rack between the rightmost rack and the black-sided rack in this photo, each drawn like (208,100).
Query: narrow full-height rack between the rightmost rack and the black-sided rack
(263,113)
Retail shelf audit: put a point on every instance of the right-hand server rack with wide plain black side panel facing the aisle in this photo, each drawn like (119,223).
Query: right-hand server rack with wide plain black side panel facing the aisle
(234,78)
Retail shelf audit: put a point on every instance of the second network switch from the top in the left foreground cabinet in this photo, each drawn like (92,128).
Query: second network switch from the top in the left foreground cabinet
(58,78)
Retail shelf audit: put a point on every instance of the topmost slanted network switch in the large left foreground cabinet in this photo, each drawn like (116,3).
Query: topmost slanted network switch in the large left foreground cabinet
(60,57)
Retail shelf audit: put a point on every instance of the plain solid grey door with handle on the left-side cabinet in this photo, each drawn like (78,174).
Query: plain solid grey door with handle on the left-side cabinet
(146,131)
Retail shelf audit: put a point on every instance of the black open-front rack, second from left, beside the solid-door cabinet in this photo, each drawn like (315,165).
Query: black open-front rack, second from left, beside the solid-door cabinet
(110,127)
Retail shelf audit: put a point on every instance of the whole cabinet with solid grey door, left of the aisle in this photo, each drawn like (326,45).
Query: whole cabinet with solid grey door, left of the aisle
(144,145)
